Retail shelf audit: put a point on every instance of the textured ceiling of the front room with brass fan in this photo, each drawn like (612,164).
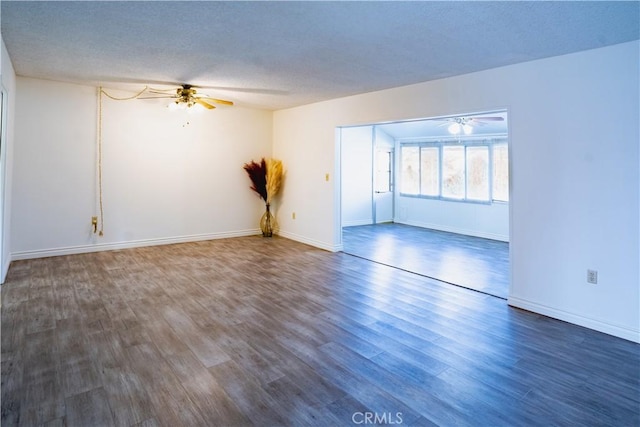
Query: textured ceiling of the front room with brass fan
(281,54)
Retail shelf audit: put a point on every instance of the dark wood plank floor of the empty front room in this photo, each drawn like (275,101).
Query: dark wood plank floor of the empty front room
(269,332)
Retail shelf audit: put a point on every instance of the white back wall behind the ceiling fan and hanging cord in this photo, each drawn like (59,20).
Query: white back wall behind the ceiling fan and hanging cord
(163,181)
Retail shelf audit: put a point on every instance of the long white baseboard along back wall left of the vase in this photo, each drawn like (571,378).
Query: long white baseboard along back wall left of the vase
(71,250)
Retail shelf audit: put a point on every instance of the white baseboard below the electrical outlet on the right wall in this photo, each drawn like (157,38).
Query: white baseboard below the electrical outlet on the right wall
(607,328)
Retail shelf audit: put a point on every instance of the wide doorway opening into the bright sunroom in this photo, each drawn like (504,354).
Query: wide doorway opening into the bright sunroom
(430,196)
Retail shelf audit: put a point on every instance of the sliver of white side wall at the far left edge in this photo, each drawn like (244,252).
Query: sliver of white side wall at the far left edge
(8,83)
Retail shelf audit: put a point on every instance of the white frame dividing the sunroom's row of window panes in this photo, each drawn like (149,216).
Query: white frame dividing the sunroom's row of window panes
(488,142)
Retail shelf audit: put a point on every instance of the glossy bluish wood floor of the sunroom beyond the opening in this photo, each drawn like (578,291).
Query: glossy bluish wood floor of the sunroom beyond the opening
(471,262)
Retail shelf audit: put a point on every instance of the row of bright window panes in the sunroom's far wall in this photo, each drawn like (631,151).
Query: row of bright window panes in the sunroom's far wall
(473,170)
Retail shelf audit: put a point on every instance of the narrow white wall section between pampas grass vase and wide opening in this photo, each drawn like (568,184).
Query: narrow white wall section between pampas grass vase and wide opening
(305,141)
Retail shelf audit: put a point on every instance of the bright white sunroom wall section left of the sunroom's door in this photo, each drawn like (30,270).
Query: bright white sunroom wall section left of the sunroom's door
(357,175)
